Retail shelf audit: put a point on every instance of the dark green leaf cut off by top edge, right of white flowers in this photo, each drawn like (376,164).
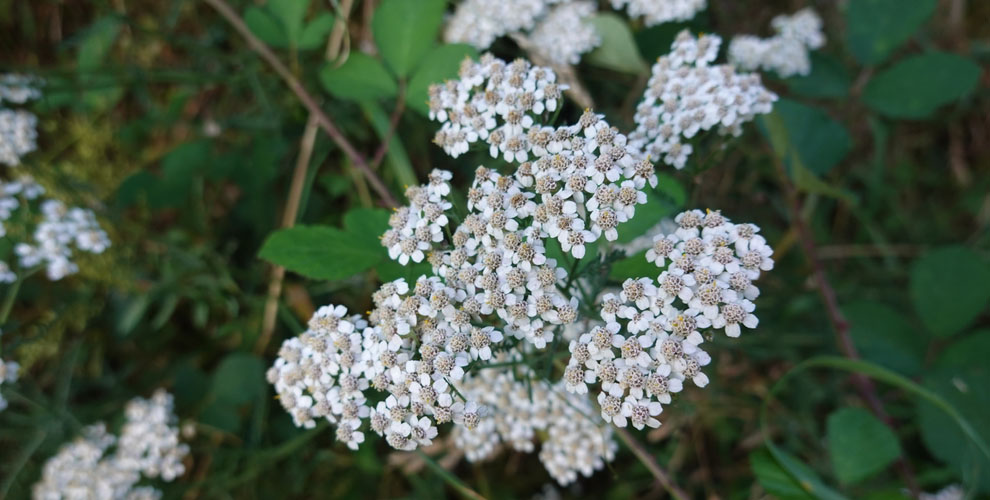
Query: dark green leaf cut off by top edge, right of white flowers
(874,28)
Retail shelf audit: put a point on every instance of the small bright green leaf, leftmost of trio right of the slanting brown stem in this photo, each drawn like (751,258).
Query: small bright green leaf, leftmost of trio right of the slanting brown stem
(361,77)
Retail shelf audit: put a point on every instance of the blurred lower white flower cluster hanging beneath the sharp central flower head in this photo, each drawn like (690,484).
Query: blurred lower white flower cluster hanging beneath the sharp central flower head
(574,439)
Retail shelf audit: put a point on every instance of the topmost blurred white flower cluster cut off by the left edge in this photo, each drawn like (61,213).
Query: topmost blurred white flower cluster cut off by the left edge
(18,128)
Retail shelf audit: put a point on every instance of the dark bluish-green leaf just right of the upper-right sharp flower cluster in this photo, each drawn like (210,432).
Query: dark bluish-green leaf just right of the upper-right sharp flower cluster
(818,140)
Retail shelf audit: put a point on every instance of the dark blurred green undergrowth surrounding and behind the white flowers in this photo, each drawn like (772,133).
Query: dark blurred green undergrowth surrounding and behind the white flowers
(871,181)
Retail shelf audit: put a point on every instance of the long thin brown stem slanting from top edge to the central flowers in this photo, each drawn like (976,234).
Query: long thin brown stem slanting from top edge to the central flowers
(307,99)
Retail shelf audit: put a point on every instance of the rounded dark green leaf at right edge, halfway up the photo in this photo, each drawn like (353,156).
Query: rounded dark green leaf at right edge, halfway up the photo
(950,287)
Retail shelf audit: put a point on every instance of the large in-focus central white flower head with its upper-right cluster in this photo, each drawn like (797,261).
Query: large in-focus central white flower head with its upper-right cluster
(461,345)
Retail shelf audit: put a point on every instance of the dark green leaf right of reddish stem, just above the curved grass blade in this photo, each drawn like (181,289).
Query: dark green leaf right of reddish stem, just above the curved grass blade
(886,336)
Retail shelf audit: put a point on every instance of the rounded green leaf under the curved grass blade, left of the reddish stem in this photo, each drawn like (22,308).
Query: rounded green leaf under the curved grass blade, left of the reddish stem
(859,444)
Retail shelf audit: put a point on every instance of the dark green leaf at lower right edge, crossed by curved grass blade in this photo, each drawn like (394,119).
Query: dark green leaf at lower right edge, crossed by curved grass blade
(965,388)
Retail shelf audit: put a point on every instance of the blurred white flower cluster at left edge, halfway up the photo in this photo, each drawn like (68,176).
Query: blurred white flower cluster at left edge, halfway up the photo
(59,229)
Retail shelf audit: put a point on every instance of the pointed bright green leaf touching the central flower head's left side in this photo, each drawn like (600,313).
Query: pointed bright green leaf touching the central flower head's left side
(320,252)
